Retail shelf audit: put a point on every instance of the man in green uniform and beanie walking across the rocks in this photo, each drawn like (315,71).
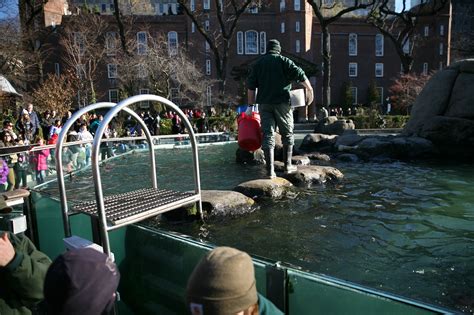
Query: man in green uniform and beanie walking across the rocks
(272,75)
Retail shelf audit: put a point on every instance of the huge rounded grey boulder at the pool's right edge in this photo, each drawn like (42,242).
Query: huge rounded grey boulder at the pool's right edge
(444,111)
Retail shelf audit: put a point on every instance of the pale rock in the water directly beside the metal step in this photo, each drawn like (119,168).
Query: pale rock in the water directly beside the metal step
(223,202)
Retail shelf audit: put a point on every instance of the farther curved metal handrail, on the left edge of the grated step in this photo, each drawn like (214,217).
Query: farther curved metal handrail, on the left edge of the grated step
(58,155)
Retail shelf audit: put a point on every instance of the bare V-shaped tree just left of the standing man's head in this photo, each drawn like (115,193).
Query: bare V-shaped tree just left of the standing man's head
(227,14)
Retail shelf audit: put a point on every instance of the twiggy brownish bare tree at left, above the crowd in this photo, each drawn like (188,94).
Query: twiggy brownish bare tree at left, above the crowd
(85,50)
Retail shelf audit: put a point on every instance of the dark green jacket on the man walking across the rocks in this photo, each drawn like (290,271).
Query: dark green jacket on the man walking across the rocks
(272,75)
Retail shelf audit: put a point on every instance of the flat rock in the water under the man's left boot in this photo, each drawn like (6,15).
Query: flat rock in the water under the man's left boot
(272,188)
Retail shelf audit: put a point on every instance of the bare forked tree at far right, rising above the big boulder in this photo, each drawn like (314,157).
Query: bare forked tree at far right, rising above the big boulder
(400,26)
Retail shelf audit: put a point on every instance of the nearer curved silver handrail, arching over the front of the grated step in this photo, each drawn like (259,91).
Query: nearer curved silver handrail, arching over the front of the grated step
(95,155)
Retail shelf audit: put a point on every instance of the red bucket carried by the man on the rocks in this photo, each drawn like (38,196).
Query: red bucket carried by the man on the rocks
(250,133)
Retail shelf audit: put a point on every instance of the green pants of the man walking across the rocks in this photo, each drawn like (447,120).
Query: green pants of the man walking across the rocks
(276,115)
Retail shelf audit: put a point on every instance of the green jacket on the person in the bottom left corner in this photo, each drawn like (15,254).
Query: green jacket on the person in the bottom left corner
(21,281)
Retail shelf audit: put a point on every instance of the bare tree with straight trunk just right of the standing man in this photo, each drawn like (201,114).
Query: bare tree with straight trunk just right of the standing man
(328,12)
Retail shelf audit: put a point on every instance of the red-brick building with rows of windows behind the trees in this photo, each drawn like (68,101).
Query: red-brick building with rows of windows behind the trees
(360,54)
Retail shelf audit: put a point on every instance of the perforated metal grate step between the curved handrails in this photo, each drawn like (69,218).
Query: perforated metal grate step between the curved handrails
(133,206)
